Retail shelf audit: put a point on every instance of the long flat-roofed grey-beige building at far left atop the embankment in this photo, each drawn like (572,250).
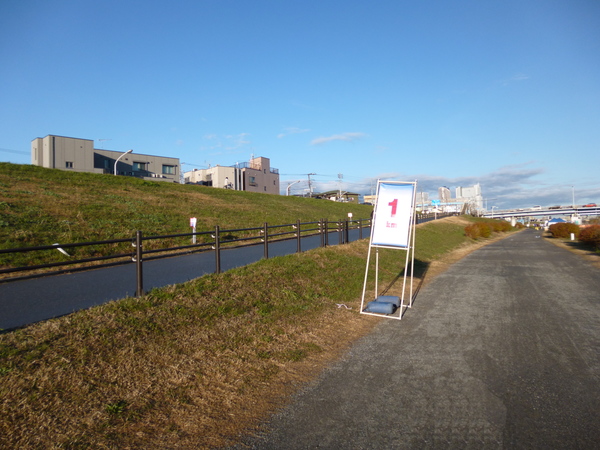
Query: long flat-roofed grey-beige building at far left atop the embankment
(79,155)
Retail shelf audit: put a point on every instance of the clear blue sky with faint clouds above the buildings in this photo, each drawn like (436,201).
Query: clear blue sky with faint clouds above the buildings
(503,93)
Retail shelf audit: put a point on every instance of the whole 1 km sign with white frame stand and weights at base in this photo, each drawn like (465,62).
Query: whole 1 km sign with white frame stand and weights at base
(393,227)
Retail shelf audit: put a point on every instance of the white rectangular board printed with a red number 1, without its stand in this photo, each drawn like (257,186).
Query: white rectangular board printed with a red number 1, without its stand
(393,214)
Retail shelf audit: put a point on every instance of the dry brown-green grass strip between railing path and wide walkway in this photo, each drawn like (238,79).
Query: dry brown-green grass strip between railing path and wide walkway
(192,365)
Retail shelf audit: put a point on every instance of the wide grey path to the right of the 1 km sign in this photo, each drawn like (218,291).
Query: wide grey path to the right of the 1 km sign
(500,351)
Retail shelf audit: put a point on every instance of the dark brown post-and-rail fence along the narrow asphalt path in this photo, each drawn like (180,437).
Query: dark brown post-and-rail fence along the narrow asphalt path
(142,248)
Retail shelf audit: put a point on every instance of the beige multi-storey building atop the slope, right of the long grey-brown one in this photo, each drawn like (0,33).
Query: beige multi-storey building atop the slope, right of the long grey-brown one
(254,176)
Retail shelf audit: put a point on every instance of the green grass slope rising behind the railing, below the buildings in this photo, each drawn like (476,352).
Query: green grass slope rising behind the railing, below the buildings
(41,206)
